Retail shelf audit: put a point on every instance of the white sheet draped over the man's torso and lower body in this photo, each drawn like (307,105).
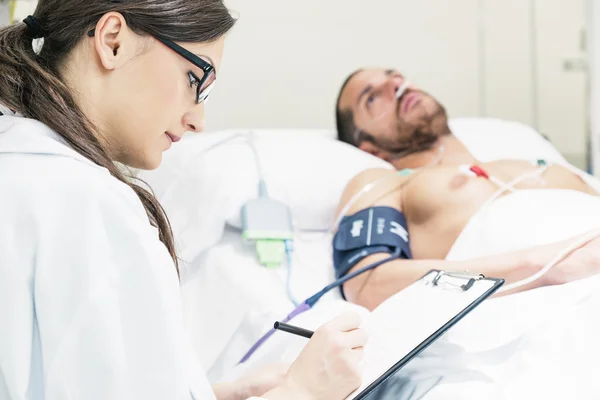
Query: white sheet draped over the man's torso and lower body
(536,344)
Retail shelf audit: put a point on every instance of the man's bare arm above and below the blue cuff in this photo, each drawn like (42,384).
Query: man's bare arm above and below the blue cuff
(372,288)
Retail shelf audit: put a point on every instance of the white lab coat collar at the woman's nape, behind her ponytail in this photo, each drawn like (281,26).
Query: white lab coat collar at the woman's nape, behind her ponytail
(28,136)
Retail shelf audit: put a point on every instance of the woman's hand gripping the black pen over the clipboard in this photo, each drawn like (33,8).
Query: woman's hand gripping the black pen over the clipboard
(328,367)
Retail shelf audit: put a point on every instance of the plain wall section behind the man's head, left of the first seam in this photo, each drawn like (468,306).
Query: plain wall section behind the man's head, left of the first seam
(285,60)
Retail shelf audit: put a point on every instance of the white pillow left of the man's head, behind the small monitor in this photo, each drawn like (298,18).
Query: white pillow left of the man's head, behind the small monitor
(202,185)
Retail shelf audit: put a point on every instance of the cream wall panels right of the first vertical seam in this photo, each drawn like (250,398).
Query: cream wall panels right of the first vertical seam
(535,69)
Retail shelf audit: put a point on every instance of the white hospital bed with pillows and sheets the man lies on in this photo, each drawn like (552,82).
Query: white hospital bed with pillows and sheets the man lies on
(230,300)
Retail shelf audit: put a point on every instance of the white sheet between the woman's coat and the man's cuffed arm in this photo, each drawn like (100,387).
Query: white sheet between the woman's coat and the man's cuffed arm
(231,300)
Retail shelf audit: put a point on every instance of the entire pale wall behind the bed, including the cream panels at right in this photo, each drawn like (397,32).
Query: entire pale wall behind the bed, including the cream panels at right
(285,60)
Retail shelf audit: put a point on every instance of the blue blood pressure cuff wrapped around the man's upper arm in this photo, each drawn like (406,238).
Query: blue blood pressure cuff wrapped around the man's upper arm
(370,231)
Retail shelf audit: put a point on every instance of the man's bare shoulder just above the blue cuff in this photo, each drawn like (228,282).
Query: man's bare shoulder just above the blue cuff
(374,183)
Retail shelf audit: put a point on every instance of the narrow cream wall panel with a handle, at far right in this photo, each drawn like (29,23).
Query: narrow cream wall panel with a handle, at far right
(562,75)
